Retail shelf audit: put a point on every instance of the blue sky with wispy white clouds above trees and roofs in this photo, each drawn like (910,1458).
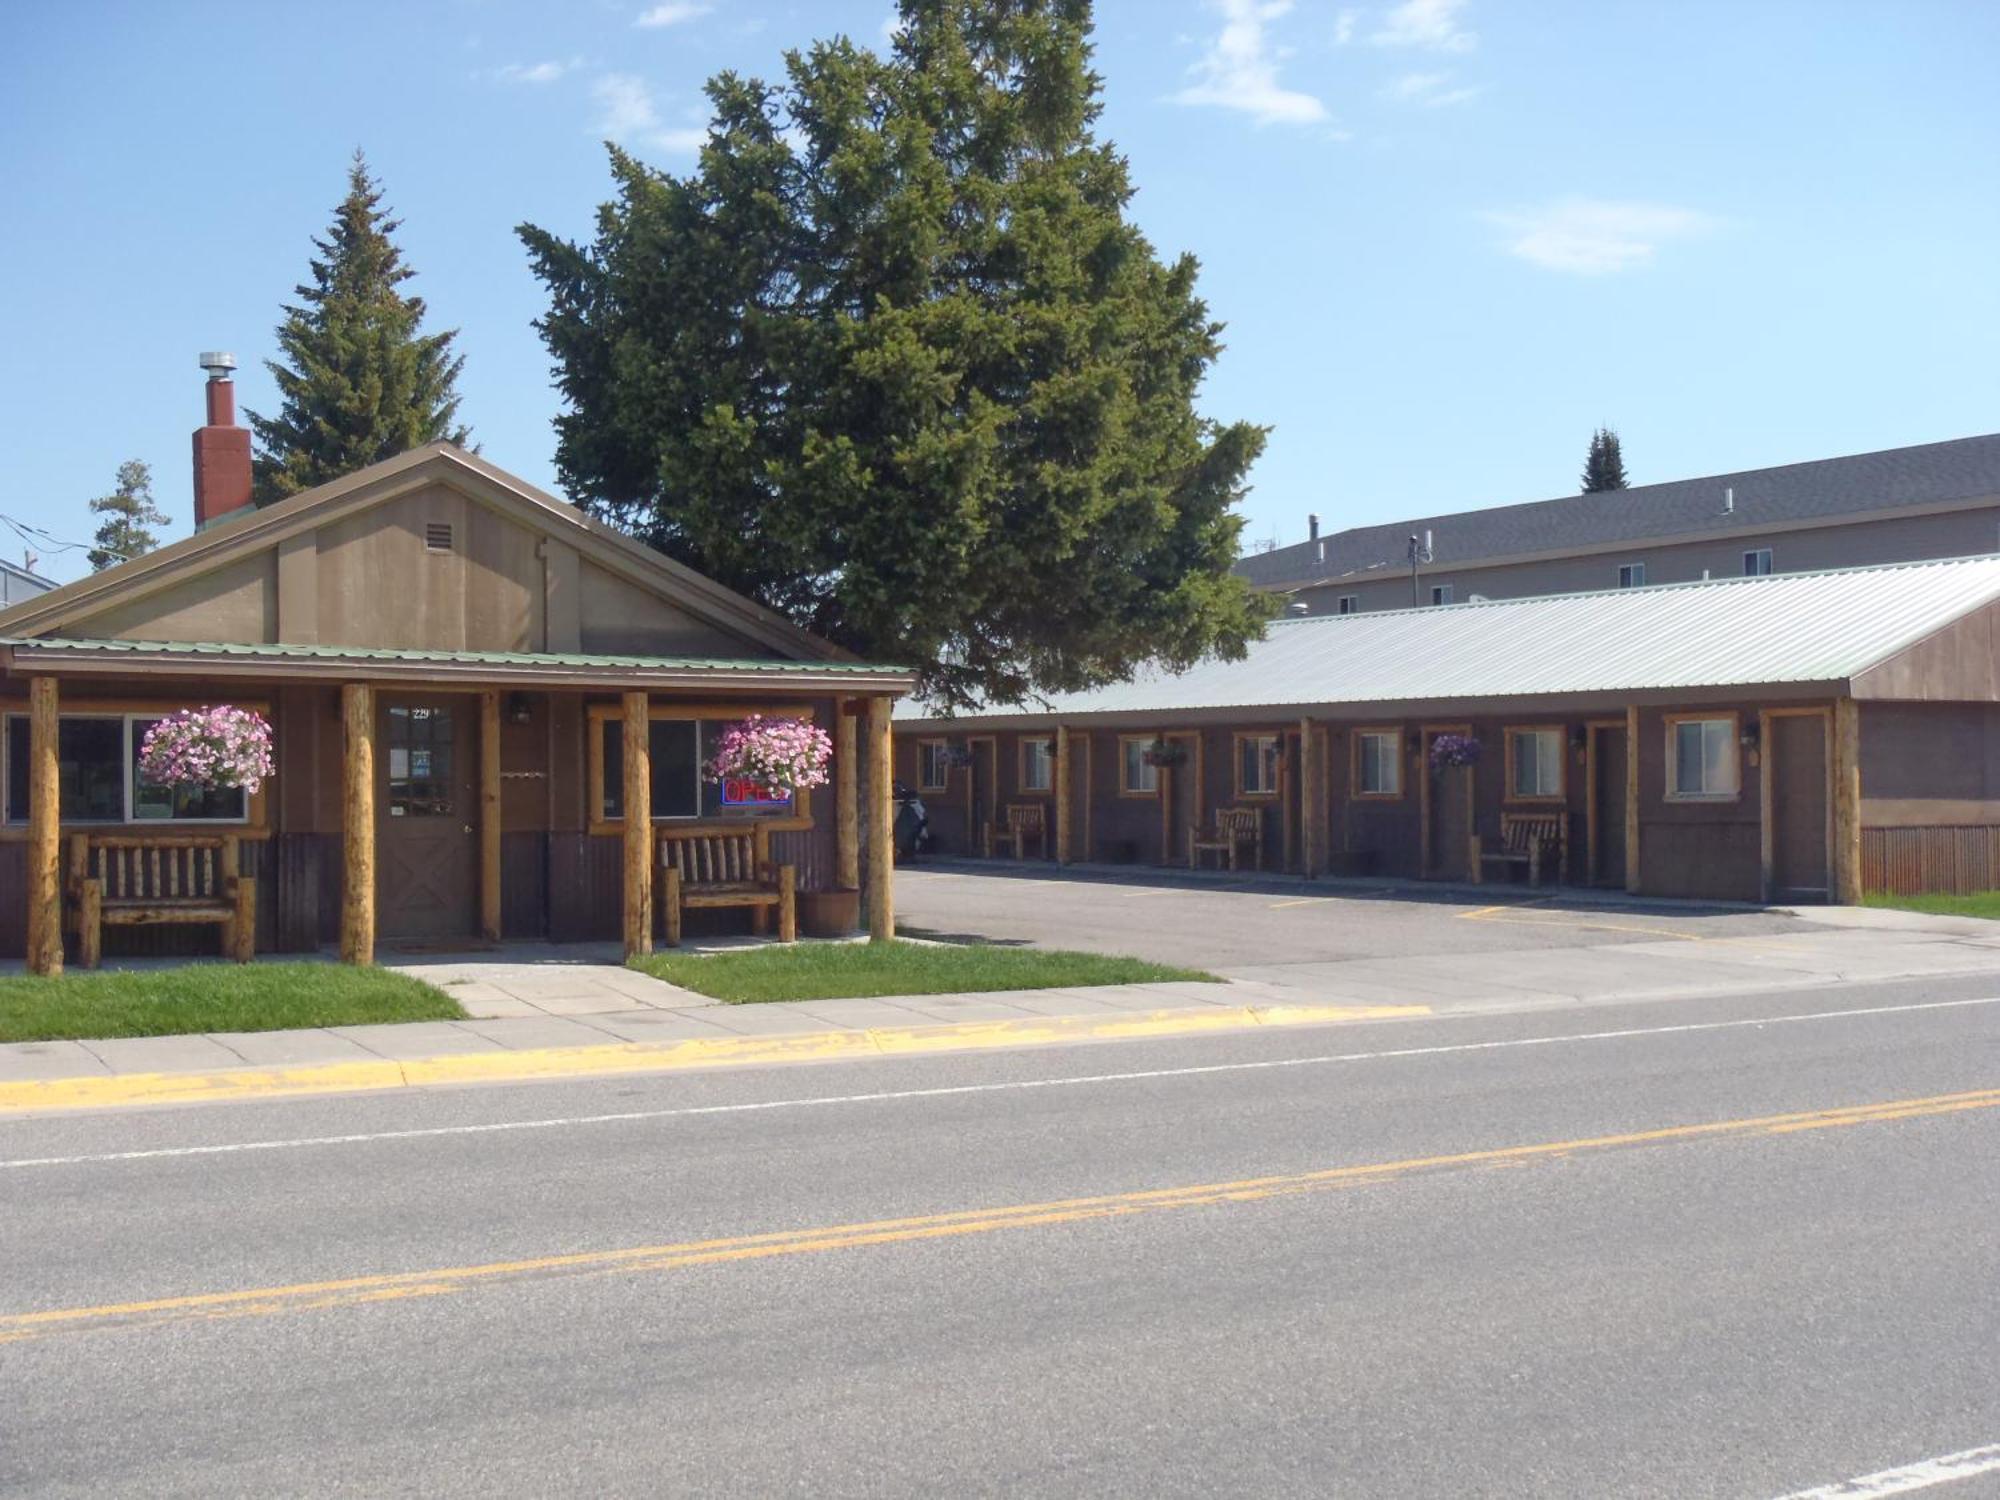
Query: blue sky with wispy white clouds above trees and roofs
(1449,239)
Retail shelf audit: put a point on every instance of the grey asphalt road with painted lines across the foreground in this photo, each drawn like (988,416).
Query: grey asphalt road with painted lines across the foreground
(1501,1255)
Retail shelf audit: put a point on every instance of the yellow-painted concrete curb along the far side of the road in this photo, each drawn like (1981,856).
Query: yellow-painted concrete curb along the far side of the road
(101,1091)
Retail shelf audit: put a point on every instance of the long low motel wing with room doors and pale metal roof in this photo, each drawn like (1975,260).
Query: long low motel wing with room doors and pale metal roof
(1765,739)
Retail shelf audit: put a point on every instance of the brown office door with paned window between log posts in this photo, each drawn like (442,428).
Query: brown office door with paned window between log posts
(427,831)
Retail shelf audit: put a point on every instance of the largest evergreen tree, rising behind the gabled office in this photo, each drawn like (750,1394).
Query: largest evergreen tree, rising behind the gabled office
(895,363)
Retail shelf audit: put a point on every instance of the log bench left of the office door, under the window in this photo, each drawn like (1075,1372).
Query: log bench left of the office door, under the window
(161,881)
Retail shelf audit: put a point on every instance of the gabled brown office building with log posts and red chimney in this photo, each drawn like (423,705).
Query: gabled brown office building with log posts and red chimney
(489,713)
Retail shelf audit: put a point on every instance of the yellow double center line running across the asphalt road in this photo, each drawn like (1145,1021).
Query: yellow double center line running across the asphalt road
(351,1291)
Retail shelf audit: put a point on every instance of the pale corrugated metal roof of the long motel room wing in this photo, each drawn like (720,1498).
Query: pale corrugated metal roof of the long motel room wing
(1819,627)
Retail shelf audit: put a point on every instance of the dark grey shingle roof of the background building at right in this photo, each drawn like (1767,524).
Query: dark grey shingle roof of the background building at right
(1965,469)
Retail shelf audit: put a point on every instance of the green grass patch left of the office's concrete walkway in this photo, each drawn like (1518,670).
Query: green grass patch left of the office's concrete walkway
(211,999)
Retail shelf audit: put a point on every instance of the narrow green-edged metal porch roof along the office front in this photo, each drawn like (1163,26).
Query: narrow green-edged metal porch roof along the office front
(59,657)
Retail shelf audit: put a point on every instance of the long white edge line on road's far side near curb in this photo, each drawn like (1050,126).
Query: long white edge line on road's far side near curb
(953,1091)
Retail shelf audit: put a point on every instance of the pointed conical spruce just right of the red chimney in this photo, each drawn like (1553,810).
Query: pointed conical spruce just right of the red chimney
(359,381)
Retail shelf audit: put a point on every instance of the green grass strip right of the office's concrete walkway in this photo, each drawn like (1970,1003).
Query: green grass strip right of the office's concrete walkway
(841,971)
